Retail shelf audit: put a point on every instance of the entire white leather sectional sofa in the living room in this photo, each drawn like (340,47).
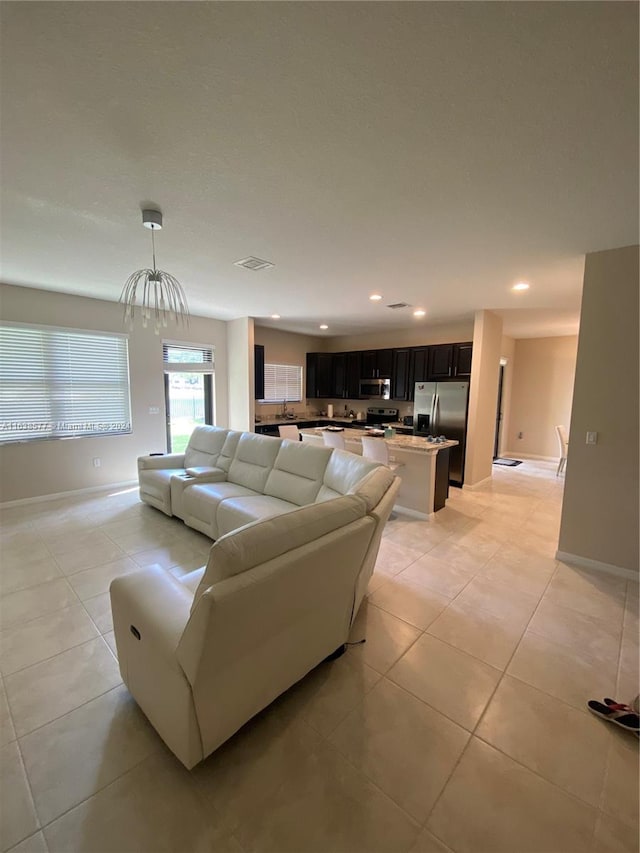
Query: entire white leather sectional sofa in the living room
(298,529)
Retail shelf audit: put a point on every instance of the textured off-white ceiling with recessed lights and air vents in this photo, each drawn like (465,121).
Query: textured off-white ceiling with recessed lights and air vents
(434,152)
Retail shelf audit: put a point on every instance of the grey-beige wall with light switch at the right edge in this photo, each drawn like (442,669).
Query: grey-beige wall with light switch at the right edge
(600,509)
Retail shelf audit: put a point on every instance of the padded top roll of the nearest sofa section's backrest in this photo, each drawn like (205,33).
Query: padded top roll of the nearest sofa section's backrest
(265,540)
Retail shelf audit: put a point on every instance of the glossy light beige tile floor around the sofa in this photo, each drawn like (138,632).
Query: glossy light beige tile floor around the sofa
(460,725)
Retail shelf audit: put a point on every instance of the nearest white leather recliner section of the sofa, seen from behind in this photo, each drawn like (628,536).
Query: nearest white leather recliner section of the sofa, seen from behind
(203,654)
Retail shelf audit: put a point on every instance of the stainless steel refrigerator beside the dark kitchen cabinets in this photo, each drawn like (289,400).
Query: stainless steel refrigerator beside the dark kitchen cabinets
(440,408)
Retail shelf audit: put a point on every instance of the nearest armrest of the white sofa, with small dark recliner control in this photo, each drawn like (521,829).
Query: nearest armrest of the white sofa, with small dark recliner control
(153,602)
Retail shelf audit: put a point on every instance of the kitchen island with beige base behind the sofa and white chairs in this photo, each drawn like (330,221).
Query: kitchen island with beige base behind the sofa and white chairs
(421,492)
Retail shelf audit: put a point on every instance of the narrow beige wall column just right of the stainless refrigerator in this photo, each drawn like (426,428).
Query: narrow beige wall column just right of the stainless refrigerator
(483,397)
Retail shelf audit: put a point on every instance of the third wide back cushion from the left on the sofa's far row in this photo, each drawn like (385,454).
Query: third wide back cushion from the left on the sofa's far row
(297,472)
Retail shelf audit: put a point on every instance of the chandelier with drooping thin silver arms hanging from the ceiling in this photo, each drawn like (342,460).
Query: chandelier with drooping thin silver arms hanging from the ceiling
(157,293)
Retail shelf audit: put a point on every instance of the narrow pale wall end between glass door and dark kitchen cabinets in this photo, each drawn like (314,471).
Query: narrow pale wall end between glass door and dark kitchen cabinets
(241,374)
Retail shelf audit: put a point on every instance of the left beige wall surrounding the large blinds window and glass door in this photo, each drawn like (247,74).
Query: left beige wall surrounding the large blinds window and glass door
(44,467)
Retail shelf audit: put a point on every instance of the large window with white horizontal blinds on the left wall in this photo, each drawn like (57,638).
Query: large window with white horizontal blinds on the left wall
(61,383)
